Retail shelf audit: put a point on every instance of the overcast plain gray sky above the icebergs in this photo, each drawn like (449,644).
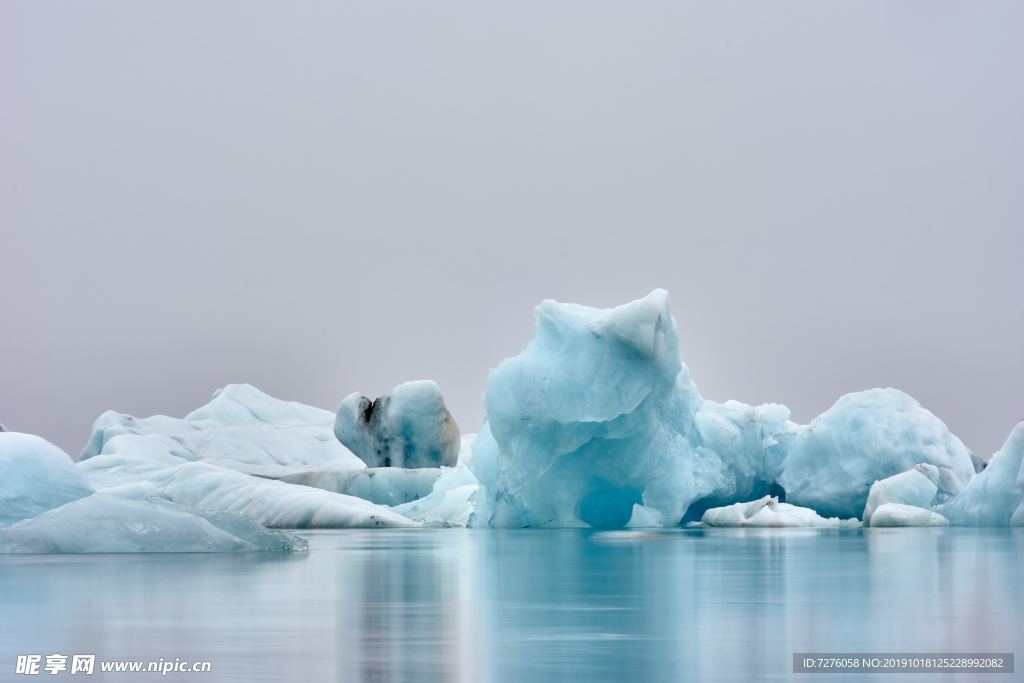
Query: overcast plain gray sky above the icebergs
(326,197)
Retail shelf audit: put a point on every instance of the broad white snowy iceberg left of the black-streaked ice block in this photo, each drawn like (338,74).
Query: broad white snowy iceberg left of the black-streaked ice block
(206,460)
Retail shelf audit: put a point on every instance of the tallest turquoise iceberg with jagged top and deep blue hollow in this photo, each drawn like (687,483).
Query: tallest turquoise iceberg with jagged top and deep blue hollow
(599,418)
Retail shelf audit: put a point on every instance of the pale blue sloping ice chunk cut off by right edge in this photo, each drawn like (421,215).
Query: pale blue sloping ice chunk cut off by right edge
(996,495)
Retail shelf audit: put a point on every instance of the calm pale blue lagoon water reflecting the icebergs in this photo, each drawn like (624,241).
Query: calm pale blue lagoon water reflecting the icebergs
(530,606)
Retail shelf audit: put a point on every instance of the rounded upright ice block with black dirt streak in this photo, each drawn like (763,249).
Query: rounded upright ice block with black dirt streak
(410,429)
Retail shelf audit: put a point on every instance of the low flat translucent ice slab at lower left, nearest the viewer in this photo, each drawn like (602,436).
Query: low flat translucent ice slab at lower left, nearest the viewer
(109,524)
